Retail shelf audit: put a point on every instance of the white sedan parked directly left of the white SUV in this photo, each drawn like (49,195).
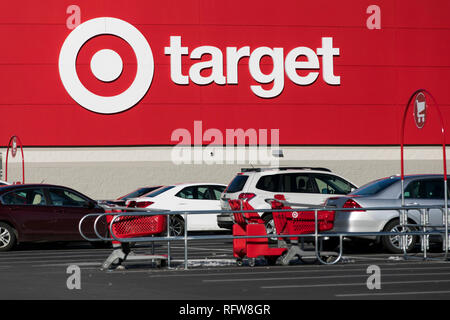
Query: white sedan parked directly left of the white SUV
(186,196)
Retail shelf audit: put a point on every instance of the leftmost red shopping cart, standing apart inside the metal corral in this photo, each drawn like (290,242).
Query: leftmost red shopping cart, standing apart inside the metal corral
(127,227)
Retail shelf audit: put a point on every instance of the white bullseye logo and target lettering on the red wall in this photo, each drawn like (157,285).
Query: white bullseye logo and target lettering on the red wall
(107,65)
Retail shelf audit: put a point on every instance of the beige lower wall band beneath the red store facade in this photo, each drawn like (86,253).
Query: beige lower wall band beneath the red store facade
(104,173)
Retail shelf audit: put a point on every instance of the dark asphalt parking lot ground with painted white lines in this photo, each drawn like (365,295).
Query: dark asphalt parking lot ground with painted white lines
(39,271)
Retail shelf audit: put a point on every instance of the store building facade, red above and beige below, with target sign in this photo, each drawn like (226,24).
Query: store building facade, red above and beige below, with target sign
(102,93)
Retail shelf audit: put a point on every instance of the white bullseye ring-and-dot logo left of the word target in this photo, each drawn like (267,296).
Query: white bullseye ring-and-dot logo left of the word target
(67,65)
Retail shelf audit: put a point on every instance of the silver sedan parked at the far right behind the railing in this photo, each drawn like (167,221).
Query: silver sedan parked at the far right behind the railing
(420,190)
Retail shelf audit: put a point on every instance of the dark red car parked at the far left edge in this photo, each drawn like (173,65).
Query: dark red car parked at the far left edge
(42,212)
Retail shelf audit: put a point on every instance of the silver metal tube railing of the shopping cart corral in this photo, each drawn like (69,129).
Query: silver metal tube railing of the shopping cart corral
(424,229)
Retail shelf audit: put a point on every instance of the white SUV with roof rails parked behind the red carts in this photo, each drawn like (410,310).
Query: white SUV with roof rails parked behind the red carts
(303,185)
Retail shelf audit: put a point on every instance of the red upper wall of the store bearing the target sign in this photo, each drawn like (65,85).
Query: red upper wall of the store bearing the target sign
(131,72)
